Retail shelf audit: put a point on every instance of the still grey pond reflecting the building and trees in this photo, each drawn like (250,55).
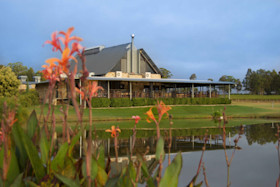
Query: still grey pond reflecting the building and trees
(254,164)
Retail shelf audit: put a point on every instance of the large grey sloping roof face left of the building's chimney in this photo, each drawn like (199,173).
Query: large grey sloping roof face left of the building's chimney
(104,61)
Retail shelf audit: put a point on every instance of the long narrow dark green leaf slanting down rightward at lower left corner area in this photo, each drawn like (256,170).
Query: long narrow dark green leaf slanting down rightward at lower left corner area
(32,153)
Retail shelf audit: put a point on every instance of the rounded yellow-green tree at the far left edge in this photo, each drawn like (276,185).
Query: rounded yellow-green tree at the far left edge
(8,82)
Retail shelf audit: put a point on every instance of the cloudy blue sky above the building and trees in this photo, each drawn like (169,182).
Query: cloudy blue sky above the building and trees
(208,38)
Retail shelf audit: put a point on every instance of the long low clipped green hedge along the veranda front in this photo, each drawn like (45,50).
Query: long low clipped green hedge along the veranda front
(126,102)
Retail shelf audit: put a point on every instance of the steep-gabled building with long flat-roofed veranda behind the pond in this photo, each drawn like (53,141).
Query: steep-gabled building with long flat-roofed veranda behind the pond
(125,71)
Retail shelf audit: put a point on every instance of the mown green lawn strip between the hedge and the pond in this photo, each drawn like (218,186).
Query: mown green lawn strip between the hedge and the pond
(238,113)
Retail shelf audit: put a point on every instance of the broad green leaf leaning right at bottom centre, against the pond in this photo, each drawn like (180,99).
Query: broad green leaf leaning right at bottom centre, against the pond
(172,172)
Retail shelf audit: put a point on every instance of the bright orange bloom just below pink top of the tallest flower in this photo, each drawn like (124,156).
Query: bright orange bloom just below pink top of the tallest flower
(64,61)
